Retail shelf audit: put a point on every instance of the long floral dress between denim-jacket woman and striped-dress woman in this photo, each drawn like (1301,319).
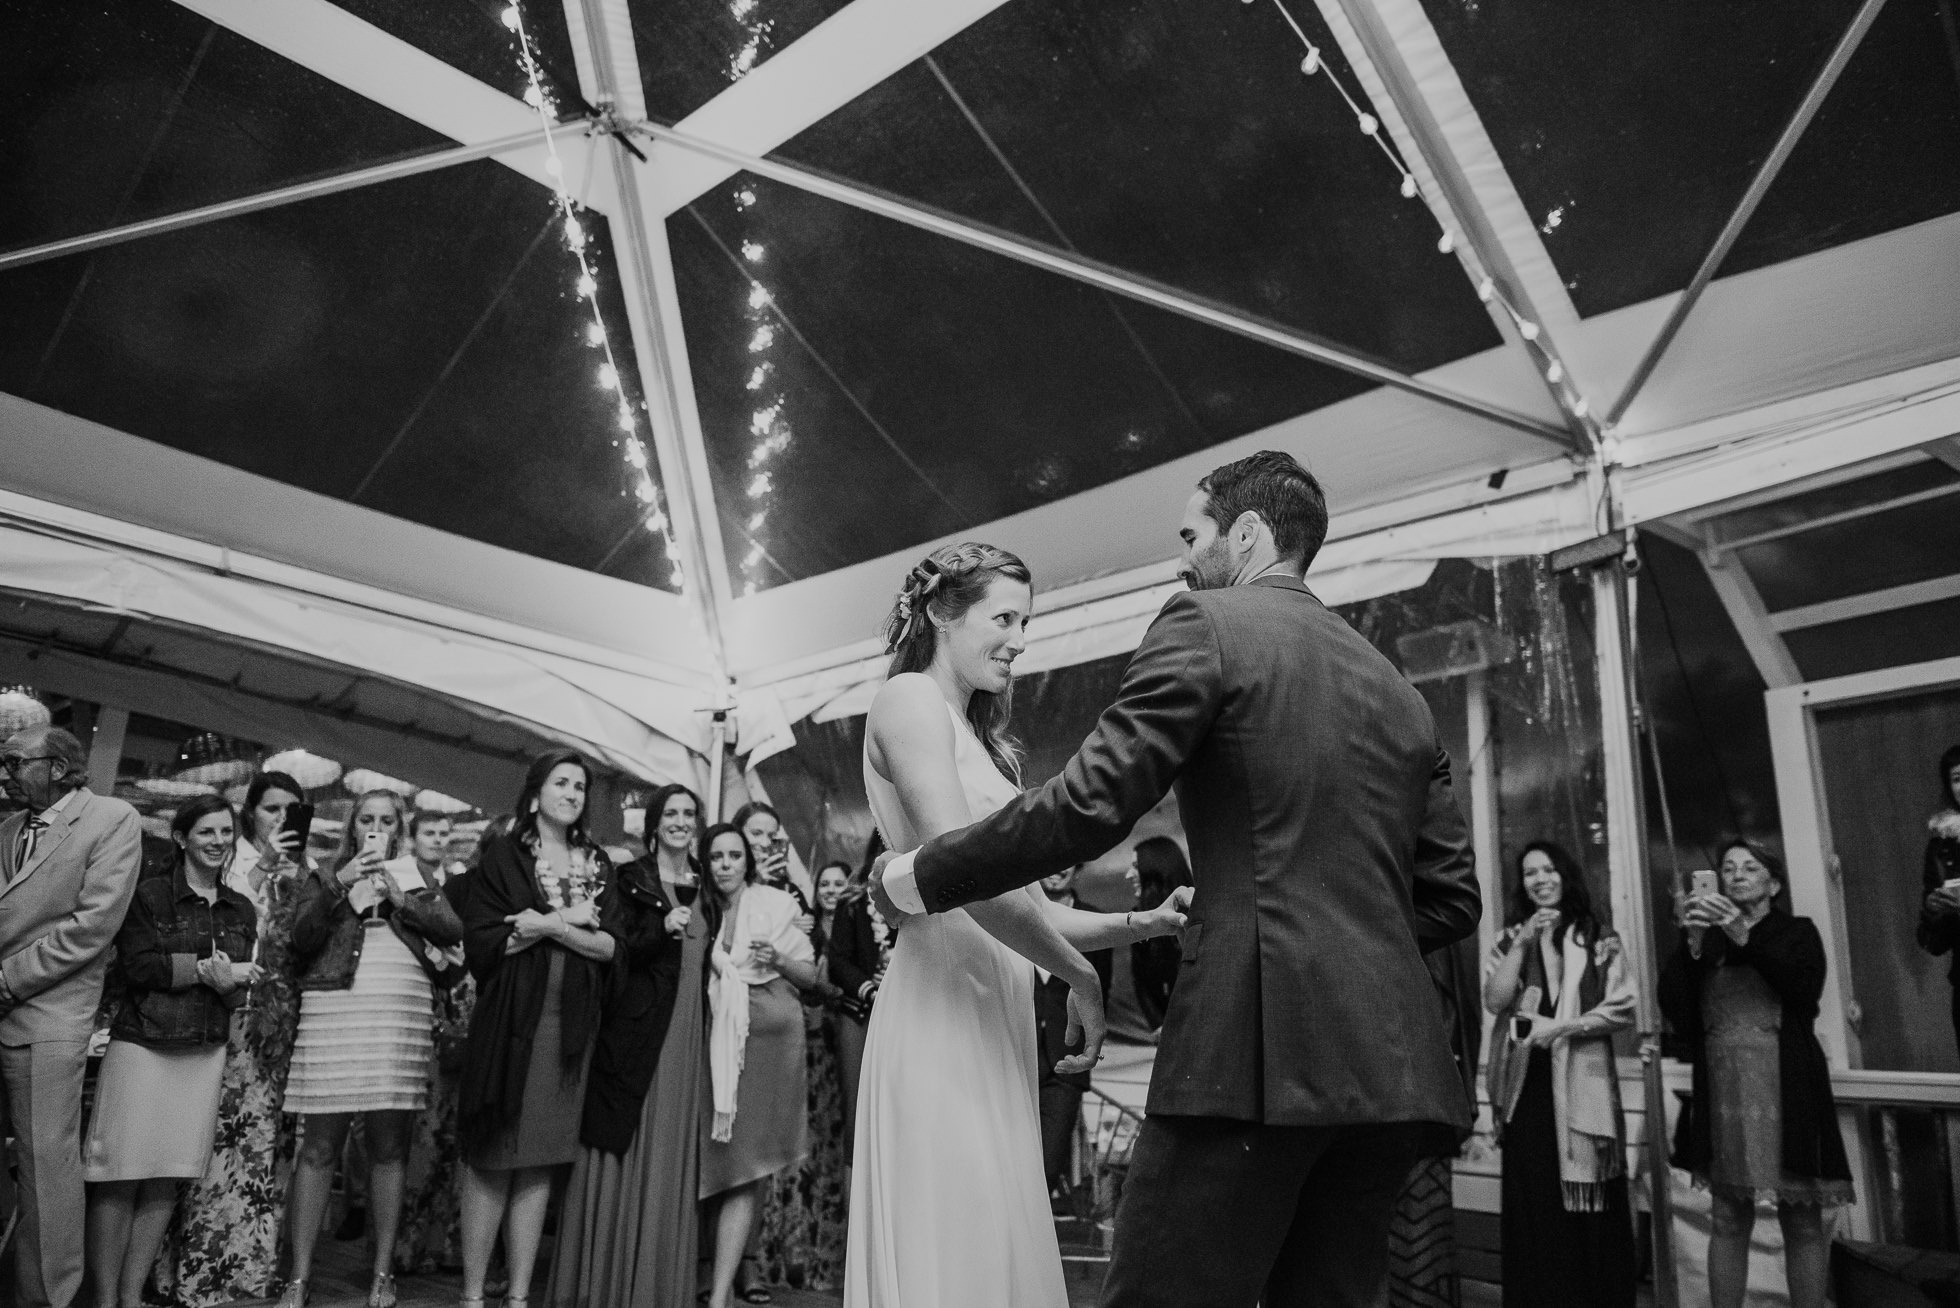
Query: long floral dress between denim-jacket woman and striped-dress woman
(224,1238)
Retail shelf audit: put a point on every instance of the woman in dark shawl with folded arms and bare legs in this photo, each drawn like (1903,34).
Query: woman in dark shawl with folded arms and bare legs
(542,960)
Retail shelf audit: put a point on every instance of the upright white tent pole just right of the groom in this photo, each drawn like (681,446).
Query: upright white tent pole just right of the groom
(1616,656)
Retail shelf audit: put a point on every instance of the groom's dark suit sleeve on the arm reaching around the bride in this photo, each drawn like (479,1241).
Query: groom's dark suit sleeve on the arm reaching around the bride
(1165,709)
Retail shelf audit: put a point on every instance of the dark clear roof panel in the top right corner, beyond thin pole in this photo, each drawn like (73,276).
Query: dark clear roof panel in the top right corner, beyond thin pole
(1885,150)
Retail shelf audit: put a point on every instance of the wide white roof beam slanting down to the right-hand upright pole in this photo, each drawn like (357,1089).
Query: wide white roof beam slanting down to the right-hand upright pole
(1385,42)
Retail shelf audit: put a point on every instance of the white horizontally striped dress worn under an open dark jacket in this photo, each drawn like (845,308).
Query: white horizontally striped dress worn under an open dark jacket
(366,1048)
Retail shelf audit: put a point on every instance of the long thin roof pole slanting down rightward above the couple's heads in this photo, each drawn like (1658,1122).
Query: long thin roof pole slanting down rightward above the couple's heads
(1112,279)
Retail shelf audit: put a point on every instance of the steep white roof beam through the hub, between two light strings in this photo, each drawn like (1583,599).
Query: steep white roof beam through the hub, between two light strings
(660,336)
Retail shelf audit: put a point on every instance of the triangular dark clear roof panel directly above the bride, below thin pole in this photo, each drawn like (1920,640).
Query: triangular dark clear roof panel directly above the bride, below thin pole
(867,387)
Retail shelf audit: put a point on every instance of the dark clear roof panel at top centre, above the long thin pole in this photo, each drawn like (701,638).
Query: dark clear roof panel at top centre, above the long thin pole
(1181,144)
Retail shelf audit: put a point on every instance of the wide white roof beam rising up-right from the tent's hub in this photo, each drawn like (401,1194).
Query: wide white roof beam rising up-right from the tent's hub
(816,75)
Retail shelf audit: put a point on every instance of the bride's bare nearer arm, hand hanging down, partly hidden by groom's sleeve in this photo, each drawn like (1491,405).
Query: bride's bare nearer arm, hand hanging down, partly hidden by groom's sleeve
(912,746)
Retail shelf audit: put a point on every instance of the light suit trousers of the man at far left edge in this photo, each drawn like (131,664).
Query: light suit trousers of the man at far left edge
(44,1111)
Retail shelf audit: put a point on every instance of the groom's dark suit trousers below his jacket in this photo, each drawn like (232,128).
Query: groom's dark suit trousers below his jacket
(1230,1215)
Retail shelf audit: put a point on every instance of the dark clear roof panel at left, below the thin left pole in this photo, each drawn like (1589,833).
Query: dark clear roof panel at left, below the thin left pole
(416,348)
